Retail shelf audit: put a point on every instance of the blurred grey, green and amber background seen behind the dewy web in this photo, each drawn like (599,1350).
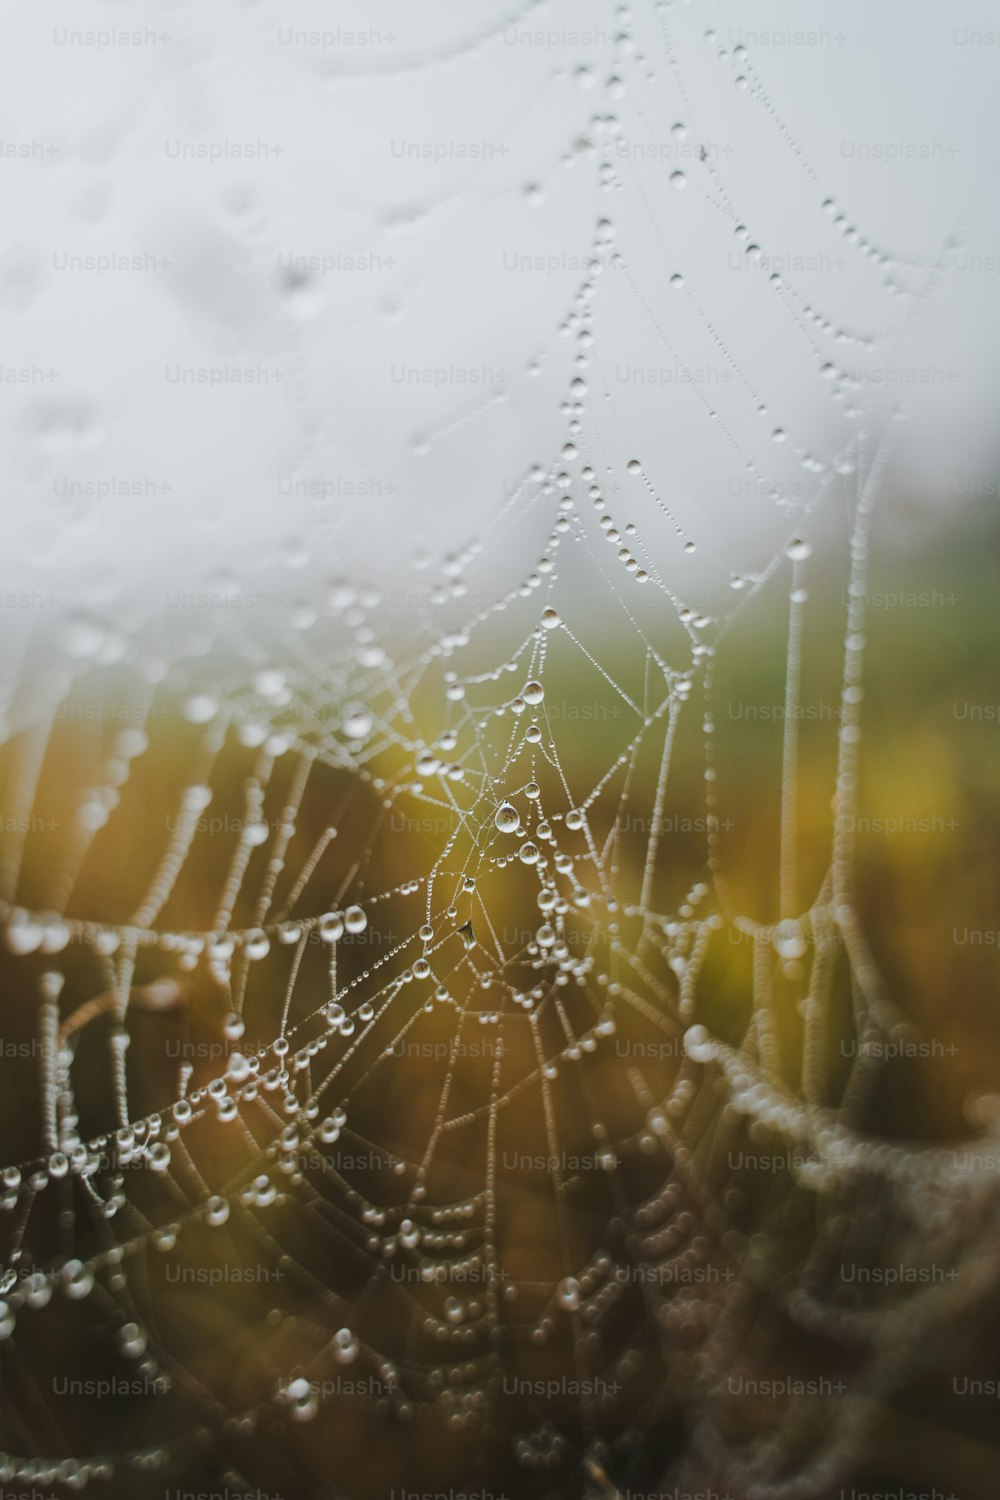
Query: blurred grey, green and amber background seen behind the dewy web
(392,269)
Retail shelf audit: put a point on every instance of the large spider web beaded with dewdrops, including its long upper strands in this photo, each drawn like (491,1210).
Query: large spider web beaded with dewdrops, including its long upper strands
(394,980)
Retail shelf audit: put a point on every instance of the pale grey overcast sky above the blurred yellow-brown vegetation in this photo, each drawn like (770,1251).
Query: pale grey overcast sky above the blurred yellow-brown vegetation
(293,274)
